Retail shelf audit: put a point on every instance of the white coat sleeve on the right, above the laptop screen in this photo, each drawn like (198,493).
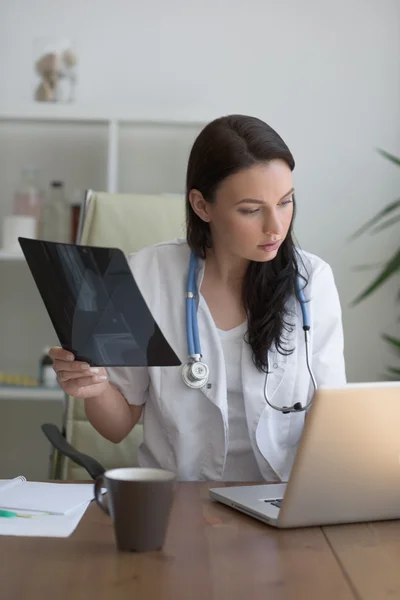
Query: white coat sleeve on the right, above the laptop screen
(328,344)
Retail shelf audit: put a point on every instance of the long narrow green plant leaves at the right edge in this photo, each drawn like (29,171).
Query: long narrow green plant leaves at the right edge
(387,217)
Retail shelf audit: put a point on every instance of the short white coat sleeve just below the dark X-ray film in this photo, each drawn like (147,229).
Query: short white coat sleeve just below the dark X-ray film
(132,382)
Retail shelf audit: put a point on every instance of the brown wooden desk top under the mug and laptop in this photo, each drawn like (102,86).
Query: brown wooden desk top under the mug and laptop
(211,552)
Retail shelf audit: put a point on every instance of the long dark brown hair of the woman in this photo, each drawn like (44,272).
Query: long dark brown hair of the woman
(224,147)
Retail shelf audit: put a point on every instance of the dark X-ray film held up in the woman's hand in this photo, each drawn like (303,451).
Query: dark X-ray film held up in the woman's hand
(95,305)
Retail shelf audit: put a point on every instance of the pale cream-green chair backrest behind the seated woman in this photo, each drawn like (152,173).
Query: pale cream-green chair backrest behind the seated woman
(129,222)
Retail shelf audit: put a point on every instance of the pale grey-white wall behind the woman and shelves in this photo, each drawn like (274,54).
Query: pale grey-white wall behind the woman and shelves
(325,75)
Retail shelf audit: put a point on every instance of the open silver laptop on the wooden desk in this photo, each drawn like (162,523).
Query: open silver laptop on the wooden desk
(347,466)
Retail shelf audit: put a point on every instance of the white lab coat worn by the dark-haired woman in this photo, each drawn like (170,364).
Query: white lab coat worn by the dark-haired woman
(186,430)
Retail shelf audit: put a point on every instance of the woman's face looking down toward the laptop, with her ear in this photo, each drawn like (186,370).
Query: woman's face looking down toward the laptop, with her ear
(252,212)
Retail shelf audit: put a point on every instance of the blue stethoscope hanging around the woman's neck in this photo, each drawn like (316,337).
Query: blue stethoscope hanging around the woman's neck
(195,373)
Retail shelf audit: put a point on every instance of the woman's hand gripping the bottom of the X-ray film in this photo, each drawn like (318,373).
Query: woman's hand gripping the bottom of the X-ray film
(77,378)
